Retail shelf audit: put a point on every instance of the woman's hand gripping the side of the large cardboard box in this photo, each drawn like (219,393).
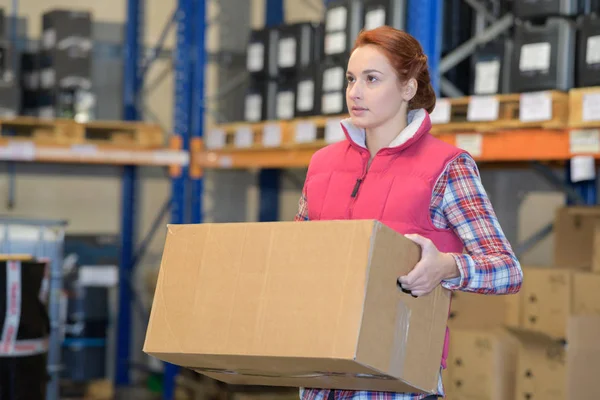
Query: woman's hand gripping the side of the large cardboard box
(431,270)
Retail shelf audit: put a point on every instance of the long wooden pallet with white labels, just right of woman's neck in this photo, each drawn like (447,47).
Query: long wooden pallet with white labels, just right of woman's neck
(514,111)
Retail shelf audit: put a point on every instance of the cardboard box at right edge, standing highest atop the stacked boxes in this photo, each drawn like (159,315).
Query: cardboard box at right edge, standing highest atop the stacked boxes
(577,238)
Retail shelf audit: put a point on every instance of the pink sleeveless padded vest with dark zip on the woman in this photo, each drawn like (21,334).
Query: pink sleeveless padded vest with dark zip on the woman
(396,189)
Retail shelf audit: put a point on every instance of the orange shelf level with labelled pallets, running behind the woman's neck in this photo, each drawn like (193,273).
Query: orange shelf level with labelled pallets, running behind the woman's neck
(542,126)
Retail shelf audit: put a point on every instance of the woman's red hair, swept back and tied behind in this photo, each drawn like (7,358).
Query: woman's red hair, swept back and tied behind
(406,55)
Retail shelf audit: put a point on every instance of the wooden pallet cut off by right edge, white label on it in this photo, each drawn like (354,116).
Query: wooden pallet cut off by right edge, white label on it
(584,105)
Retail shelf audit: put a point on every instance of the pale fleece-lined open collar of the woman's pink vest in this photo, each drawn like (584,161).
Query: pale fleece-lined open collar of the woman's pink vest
(418,124)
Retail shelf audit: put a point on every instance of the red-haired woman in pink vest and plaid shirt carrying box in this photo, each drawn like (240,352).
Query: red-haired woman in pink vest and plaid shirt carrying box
(391,169)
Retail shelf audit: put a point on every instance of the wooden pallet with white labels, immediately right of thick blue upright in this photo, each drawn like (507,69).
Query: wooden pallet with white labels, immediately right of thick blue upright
(249,136)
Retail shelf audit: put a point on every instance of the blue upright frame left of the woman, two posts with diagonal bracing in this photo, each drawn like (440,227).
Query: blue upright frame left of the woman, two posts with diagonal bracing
(187,184)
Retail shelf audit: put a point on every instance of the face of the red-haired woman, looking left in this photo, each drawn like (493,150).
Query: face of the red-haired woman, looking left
(374,94)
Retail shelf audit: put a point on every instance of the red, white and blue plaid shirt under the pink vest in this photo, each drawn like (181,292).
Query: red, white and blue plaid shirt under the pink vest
(459,202)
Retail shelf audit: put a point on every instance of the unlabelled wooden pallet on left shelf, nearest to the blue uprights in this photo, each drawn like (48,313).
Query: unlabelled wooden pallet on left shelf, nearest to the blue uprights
(121,134)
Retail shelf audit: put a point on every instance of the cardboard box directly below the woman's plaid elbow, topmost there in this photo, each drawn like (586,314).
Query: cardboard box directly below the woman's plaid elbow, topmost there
(476,311)
